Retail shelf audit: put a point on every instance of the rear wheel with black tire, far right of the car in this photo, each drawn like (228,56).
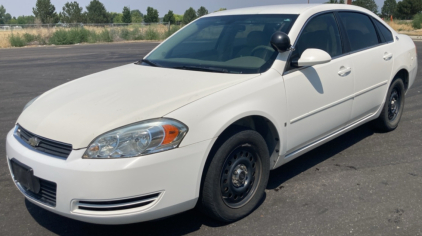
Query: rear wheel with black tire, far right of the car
(393,107)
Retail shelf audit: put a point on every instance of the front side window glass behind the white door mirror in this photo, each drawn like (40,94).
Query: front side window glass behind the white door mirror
(321,32)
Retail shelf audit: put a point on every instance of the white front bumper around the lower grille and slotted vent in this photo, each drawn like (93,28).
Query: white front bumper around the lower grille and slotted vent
(175,175)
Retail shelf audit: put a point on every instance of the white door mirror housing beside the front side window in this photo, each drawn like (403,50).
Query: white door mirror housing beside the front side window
(311,57)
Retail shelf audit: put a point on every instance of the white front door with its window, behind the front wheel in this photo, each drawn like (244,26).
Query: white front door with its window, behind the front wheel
(320,97)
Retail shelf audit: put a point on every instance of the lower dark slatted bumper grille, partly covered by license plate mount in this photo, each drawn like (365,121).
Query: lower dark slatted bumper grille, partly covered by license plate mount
(47,194)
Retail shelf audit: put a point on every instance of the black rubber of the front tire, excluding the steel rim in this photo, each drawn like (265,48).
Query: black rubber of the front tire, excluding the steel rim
(212,202)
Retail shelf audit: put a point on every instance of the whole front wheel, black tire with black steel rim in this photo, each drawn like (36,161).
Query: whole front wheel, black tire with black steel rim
(236,177)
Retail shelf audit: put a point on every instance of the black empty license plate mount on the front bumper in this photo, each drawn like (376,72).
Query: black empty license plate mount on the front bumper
(24,175)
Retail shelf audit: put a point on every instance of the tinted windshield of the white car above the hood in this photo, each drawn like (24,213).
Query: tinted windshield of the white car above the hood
(228,44)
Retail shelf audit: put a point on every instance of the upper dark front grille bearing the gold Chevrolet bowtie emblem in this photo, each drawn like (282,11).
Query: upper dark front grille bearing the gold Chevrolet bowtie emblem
(44,145)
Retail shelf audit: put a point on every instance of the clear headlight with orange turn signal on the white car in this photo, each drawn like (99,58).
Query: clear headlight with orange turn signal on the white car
(138,139)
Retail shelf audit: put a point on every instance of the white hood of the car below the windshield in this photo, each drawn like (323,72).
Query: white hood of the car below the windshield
(79,111)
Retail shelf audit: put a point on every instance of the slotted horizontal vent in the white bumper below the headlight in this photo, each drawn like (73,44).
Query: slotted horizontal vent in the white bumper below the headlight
(116,205)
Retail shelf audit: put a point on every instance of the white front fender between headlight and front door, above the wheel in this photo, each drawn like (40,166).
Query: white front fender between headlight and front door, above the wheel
(208,117)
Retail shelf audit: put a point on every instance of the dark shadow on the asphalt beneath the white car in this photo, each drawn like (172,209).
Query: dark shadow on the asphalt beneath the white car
(193,220)
